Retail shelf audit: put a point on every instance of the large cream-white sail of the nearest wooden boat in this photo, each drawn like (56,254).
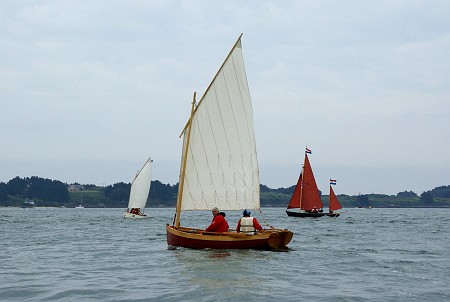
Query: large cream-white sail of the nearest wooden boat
(221,164)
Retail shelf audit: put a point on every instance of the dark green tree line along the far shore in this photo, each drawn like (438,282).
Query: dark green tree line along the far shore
(53,193)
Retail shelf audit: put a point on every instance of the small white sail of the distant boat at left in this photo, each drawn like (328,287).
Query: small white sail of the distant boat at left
(140,187)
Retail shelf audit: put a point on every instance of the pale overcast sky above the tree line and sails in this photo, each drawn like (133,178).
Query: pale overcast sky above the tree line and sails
(90,89)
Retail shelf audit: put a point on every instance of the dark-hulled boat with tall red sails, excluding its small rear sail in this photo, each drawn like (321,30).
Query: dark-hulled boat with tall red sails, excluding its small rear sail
(306,201)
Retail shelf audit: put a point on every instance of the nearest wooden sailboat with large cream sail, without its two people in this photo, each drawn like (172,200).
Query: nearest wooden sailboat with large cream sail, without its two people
(219,166)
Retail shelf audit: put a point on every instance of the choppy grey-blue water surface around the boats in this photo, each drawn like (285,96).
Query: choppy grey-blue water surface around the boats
(52,254)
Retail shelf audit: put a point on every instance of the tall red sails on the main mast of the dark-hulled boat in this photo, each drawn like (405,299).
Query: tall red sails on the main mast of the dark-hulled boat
(306,194)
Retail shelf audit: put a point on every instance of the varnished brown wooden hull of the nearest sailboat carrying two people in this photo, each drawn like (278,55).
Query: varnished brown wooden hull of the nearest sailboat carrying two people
(273,239)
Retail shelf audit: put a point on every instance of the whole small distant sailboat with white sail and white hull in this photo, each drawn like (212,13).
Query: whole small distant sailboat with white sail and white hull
(140,189)
